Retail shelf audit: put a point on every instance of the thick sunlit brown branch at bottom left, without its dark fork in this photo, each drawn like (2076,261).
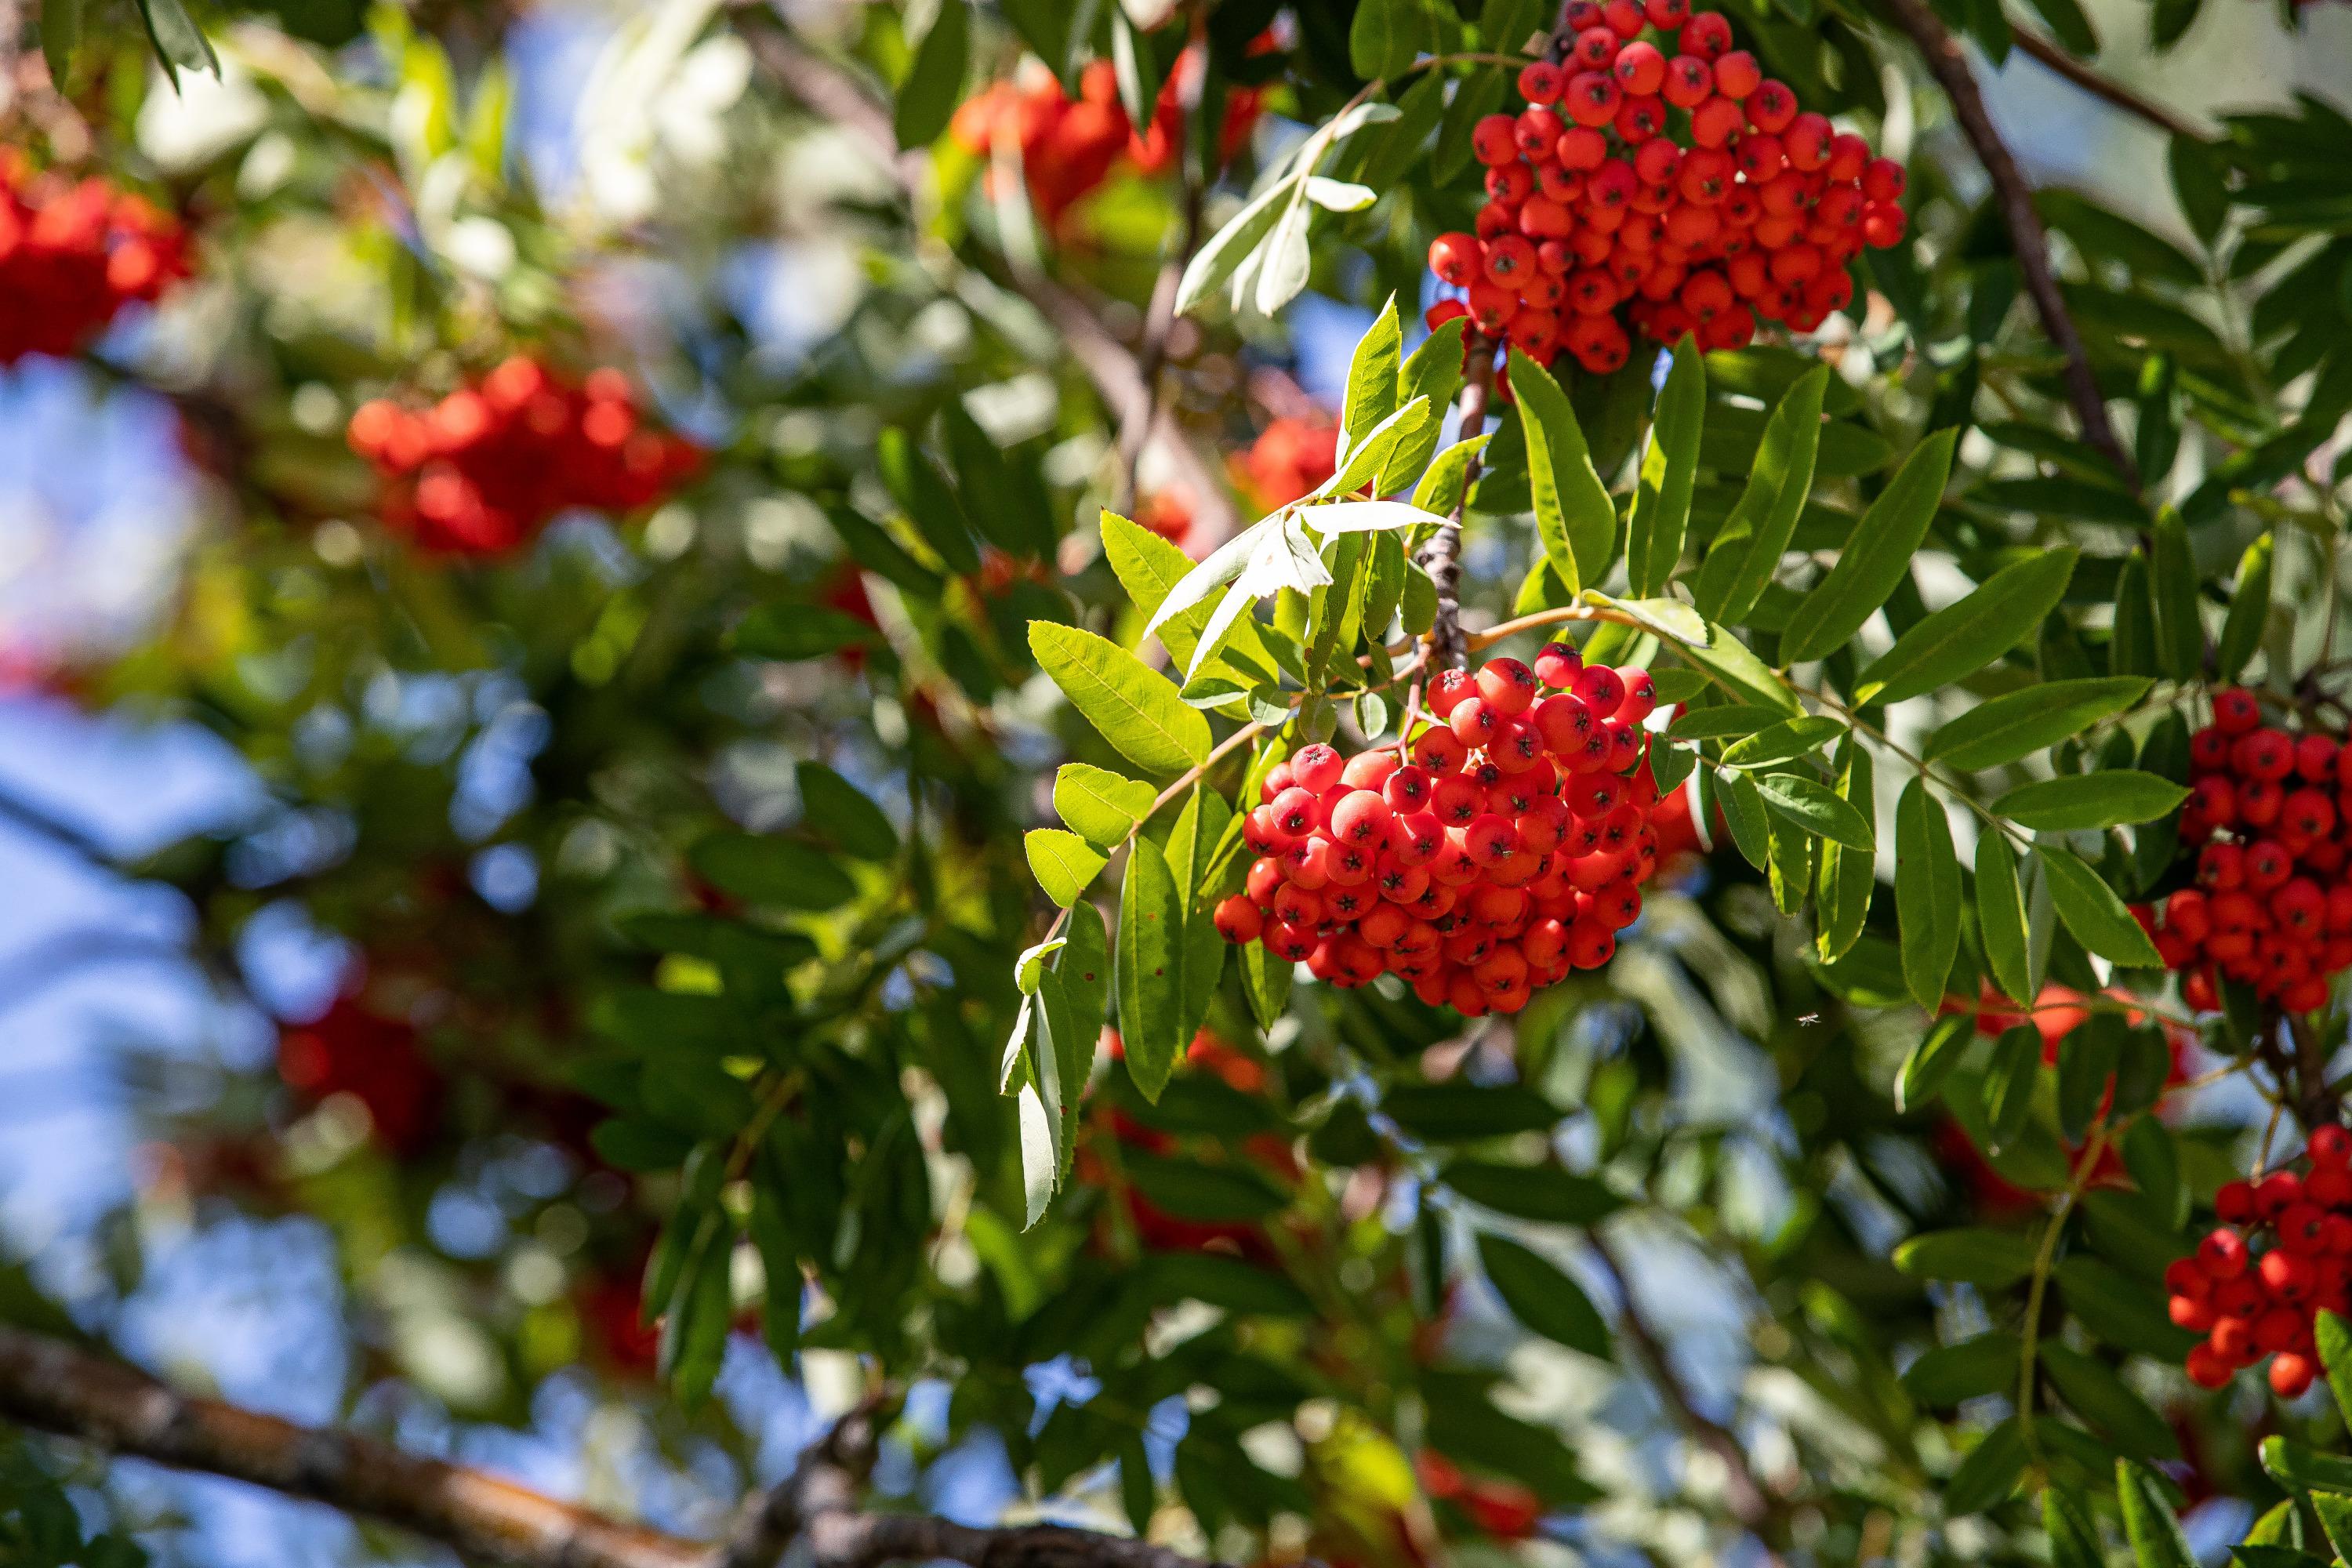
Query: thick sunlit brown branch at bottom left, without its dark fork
(58,1388)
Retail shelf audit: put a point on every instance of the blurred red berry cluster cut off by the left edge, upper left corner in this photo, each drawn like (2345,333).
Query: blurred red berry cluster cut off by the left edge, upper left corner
(72,255)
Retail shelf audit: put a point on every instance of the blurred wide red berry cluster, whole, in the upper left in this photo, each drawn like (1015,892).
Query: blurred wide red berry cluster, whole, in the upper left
(488,467)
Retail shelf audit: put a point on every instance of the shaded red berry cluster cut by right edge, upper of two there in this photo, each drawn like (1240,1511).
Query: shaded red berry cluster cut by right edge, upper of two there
(2271,826)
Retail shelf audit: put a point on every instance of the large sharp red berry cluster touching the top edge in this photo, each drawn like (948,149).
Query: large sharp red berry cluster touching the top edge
(1669,177)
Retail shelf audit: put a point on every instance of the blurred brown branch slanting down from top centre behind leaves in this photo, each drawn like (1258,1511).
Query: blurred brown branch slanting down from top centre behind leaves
(1114,370)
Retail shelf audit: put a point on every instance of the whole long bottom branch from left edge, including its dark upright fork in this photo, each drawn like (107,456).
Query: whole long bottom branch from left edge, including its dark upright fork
(74,1393)
